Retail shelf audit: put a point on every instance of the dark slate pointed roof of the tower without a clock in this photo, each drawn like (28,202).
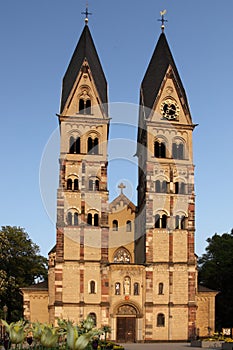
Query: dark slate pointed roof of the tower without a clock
(85,49)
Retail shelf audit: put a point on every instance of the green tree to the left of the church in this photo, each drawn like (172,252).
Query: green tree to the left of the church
(21,265)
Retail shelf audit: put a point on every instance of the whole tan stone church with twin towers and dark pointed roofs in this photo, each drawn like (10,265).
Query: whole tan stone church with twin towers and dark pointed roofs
(130,267)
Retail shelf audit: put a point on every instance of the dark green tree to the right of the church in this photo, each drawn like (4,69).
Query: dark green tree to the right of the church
(216,272)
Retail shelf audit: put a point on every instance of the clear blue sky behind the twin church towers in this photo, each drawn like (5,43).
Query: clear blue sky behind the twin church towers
(37,41)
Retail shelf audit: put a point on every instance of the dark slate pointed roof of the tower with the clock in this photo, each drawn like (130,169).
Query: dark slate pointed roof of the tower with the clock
(159,63)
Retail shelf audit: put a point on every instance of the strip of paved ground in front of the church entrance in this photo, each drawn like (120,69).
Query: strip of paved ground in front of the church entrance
(160,346)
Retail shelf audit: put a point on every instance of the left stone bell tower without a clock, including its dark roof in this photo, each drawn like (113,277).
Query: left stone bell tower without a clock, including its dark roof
(79,281)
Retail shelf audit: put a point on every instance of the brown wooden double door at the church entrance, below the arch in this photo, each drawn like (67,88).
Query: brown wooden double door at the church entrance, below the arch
(126,329)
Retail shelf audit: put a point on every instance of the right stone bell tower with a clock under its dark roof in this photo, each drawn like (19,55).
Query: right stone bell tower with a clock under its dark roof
(166,199)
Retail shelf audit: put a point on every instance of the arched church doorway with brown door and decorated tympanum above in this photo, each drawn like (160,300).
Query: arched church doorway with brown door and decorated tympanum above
(126,324)
